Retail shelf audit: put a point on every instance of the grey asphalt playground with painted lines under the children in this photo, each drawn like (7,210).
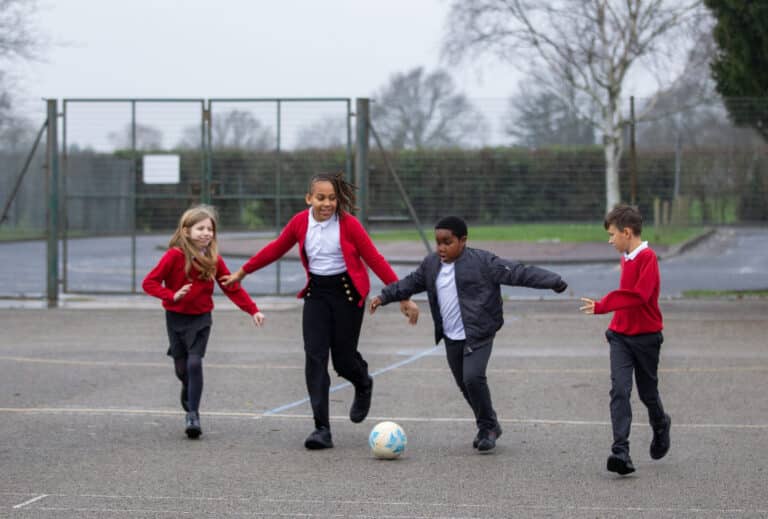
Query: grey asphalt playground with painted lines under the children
(91,426)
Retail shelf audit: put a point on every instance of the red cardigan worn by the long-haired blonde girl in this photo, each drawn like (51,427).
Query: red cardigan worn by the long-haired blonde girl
(168,277)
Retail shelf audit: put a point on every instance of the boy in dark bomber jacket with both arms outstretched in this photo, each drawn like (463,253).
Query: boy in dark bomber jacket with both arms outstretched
(464,290)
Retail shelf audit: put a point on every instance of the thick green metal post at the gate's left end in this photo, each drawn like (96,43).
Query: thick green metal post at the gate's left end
(52,185)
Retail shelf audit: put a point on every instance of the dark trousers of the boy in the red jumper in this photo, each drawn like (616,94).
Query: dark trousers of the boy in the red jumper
(638,354)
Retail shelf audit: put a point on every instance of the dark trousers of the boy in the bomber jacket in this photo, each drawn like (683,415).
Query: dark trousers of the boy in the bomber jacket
(468,362)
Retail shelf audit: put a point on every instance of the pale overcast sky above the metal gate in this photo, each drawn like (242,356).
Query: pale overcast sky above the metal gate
(242,48)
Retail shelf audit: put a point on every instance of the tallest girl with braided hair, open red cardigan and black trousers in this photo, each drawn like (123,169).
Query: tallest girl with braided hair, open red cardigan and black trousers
(334,249)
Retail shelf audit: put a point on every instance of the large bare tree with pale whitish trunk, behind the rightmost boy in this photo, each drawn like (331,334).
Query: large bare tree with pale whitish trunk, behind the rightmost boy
(592,45)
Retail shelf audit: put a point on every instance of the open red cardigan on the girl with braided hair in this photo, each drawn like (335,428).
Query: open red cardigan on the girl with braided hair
(356,247)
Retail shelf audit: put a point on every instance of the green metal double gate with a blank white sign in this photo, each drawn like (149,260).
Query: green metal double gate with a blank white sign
(130,167)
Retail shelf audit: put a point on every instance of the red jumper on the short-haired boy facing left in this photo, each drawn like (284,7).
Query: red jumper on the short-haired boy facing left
(636,303)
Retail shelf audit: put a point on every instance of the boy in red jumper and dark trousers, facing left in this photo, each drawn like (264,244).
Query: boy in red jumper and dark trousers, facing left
(634,336)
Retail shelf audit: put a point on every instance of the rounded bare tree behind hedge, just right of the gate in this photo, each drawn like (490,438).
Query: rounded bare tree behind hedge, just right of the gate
(419,110)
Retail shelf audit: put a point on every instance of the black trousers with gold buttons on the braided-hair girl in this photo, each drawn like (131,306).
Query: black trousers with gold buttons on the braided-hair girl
(331,323)
